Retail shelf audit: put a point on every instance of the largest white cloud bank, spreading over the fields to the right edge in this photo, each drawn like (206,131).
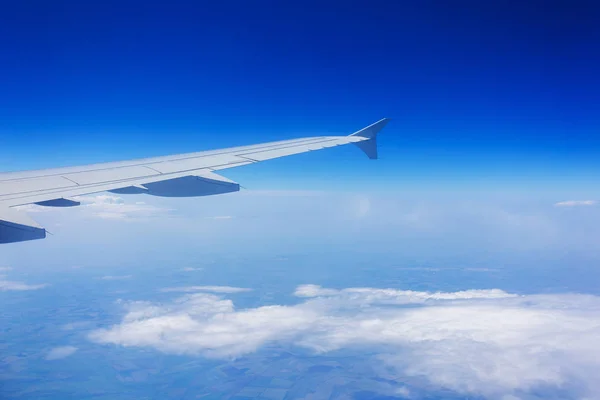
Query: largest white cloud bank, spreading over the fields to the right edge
(482,342)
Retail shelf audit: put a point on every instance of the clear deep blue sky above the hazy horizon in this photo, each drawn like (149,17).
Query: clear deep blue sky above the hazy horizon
(479,91)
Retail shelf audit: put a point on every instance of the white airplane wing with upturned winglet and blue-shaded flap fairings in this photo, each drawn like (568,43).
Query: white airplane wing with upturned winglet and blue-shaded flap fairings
(180,175)
